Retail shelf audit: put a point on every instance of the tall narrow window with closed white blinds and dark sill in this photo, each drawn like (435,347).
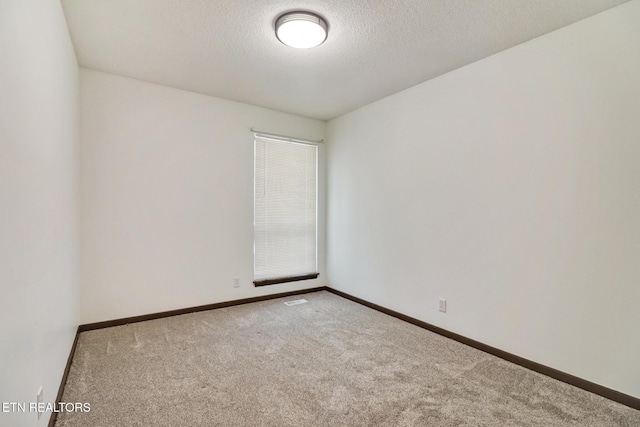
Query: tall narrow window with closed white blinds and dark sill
(285,211)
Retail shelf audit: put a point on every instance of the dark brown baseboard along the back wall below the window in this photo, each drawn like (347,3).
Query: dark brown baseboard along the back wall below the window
(160,315)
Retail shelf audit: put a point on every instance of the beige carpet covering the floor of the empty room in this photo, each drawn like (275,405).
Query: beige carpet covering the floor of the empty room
(329,362)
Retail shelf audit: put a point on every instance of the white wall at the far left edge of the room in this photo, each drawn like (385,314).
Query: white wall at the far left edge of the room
(38,202)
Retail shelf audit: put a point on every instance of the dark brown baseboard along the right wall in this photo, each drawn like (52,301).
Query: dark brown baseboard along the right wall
(600,390)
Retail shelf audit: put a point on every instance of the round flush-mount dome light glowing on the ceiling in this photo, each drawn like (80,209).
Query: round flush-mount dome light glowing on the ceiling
(301,30)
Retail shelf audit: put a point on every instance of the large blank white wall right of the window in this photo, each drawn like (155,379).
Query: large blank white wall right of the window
(511,187)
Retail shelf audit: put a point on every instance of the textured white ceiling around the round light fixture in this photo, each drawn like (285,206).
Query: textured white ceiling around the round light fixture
(227,48)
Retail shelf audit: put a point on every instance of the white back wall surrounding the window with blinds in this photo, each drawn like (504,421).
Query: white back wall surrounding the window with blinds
(167,197)
